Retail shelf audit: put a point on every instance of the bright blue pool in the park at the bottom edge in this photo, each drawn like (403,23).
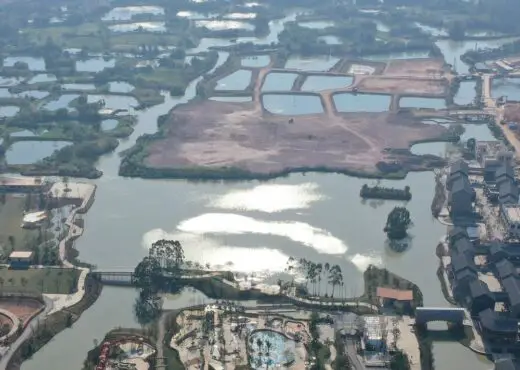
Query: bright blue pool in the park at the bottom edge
(280,353)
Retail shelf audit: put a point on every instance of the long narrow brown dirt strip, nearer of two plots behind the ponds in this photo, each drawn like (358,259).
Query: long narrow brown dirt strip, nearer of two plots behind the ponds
(402,85)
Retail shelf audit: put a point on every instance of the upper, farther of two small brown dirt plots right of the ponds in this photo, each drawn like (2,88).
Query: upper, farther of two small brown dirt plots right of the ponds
(425,67)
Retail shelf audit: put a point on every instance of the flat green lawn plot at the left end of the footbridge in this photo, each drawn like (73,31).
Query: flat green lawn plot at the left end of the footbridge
(45,280)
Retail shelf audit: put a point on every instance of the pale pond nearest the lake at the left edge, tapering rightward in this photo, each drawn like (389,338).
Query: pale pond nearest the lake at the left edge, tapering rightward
(28,152)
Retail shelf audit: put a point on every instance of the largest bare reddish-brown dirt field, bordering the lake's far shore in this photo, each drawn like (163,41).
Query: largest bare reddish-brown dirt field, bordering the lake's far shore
(216,134)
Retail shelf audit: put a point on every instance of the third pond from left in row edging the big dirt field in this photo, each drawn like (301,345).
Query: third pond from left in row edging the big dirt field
(348,102)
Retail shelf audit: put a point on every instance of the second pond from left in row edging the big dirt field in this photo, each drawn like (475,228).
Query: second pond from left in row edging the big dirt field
(292,104)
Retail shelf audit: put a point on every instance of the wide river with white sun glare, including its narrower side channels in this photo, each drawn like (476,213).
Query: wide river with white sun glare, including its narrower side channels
(247,226)
